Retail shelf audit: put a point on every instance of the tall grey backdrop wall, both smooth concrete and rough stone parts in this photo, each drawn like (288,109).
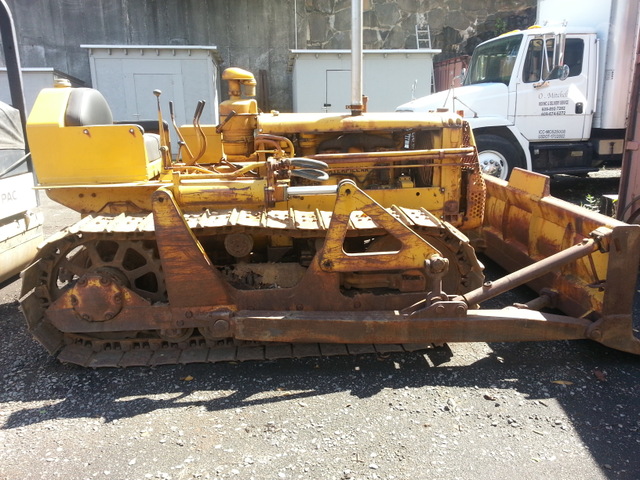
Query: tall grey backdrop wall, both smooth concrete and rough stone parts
(252,34)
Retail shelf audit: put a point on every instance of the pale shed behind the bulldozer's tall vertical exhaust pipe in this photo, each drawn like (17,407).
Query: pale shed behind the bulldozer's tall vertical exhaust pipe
(322,78)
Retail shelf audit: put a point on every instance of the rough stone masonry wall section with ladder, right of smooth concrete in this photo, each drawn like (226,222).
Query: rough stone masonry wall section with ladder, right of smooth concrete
(456,26)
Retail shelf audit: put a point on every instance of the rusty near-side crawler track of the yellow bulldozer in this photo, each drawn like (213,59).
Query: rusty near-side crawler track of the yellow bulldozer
(59,264)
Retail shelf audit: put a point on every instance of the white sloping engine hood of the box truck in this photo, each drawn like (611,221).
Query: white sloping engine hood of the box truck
(482,99)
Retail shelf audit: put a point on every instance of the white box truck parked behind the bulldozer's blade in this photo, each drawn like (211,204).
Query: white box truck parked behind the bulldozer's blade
(552,98)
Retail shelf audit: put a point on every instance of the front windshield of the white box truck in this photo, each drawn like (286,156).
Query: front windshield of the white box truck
(494,61)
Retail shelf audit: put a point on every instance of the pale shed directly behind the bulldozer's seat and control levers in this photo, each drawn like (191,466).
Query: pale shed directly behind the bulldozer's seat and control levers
(127,75)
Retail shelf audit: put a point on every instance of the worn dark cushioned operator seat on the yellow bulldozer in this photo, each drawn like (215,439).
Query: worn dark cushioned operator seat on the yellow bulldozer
(87,106)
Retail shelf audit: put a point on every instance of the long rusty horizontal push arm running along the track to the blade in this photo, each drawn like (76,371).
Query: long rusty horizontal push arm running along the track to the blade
(395,327)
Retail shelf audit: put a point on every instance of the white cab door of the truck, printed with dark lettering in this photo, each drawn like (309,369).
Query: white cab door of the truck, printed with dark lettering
(548,107)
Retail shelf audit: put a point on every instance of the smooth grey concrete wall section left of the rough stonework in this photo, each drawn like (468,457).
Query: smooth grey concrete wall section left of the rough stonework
(253,34)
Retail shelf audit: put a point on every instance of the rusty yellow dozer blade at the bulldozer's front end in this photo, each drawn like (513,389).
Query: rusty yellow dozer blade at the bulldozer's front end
(524,224)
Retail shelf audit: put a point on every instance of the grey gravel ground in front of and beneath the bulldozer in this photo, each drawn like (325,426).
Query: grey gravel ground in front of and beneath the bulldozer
(532,410)
